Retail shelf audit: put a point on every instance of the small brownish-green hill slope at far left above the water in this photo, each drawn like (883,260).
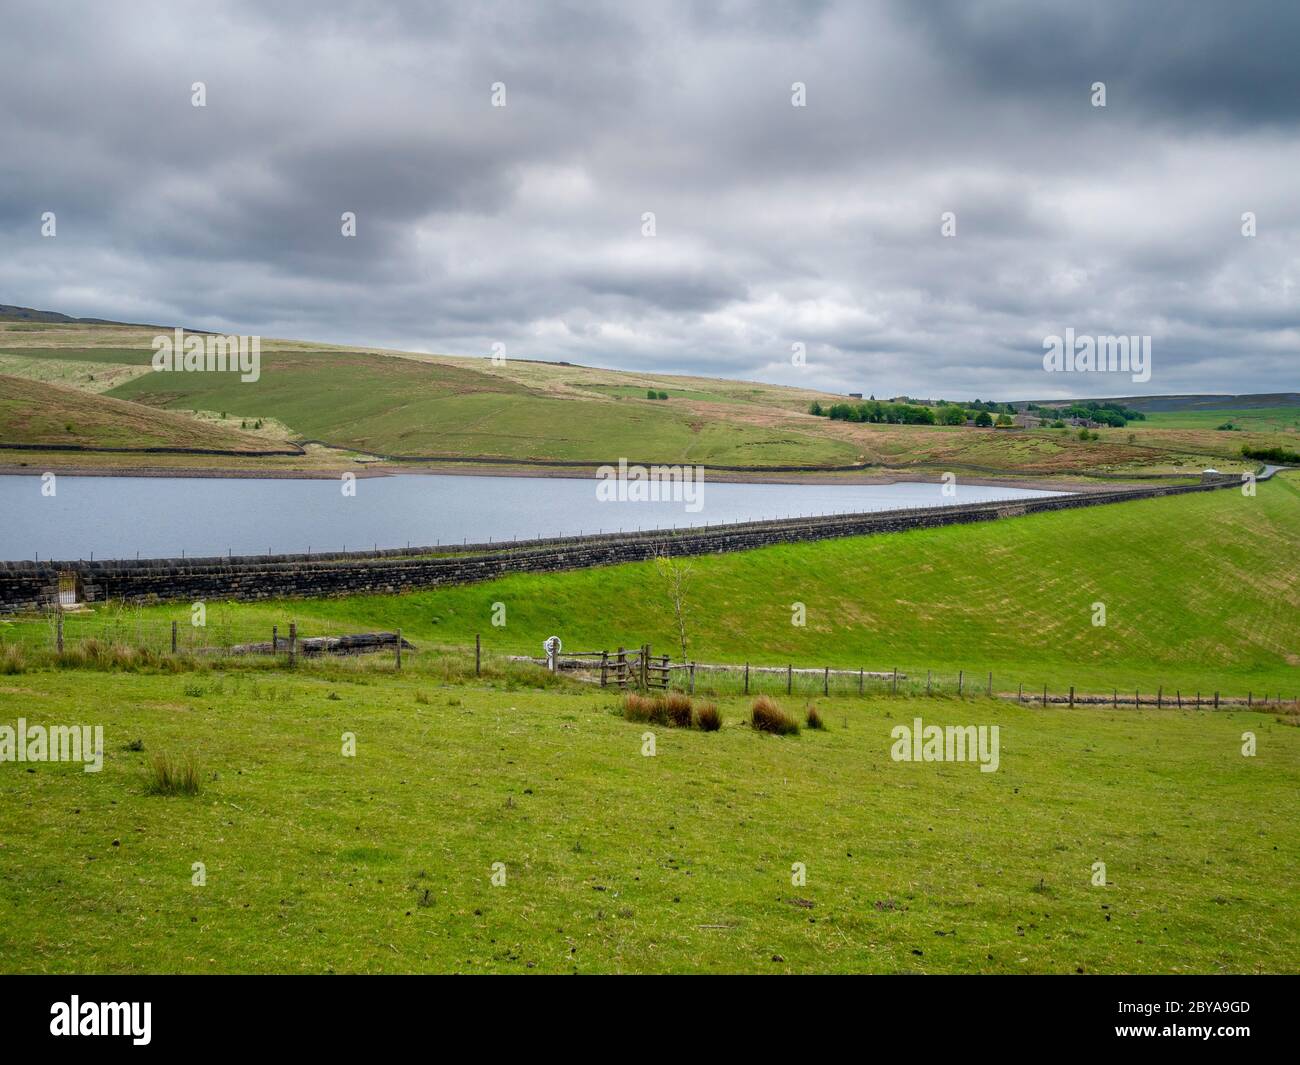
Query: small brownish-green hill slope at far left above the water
(40,413)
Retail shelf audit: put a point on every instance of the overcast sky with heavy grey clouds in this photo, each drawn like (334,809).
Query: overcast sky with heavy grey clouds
(774,224)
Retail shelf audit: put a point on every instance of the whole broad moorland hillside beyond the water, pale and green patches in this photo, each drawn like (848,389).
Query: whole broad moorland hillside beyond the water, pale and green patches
(409,405)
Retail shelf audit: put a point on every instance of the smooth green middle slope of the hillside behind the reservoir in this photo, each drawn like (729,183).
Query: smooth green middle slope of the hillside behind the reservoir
(410,408)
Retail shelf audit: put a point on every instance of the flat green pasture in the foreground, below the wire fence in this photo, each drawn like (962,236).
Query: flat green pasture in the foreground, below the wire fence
(618,863)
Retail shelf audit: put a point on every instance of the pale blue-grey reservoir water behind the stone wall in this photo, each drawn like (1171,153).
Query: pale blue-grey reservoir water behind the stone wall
(166,517)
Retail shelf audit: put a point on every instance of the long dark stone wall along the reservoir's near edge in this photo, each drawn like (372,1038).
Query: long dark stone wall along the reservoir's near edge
(33,586)
